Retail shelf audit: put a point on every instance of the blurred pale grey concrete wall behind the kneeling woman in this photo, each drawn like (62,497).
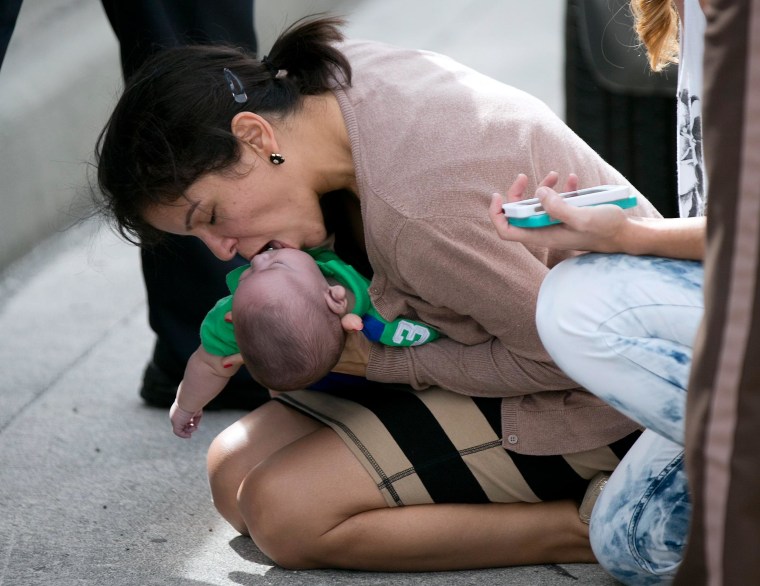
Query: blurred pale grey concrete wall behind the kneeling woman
(61,76)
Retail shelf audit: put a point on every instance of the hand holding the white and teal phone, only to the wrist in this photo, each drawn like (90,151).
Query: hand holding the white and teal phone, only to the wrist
(599,228)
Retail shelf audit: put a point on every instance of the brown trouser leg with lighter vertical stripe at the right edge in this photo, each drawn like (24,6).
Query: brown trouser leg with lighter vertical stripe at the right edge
(723,406)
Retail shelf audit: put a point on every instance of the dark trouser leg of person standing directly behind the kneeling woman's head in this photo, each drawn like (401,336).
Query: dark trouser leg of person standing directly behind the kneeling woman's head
(182,278)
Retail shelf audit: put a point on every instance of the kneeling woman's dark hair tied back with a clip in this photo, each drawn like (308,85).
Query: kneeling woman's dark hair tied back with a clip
(172,123)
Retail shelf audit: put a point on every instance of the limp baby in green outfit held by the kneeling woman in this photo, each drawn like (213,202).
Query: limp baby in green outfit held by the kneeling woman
(291,311)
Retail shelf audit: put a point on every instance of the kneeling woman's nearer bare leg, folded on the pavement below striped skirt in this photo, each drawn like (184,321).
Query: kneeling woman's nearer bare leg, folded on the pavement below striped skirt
(311,504)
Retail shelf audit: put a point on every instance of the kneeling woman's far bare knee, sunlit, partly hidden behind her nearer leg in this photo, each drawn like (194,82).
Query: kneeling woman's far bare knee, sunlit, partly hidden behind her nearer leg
(240,447)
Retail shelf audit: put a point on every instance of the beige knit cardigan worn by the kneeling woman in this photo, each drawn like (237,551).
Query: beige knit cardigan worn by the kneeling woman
(431,141)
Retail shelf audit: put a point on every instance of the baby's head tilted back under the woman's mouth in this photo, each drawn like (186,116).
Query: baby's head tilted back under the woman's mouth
(287,320)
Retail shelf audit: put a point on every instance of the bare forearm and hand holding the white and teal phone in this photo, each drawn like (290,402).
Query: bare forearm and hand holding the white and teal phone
(603,228)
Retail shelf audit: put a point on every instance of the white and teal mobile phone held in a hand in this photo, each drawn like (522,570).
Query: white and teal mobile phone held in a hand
(529,213)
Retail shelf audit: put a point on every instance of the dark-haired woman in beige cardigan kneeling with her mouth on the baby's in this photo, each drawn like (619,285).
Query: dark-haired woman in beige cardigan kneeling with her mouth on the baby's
(478,449)
